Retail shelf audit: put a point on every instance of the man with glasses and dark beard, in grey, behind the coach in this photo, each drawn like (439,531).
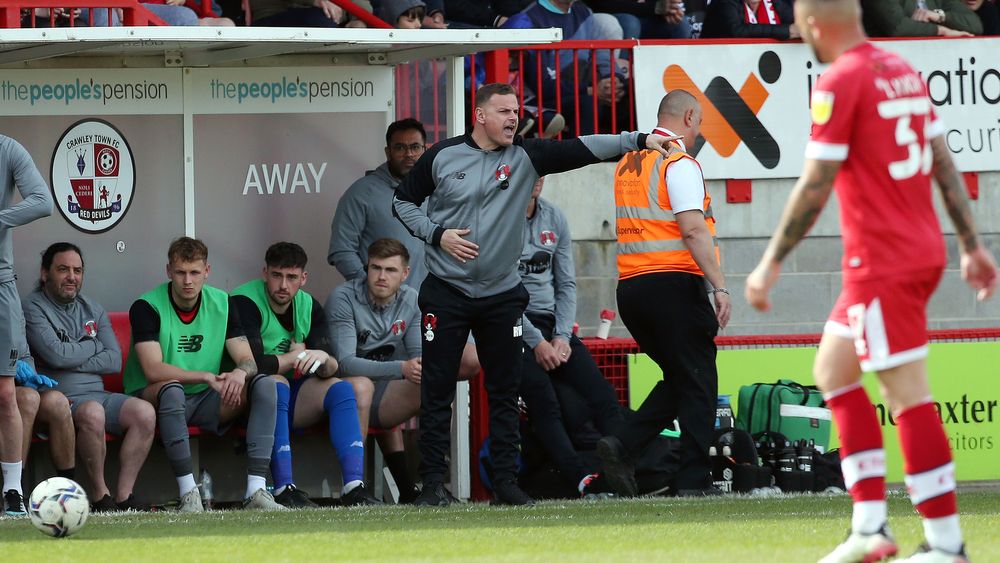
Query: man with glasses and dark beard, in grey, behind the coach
(364,213)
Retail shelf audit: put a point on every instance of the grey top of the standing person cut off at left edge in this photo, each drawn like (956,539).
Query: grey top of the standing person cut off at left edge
(18,171)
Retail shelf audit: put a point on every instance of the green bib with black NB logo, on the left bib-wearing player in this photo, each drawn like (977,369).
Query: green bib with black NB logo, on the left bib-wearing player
(194,346)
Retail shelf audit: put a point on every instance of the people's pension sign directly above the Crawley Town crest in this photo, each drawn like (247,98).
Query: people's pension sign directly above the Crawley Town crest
(90,92)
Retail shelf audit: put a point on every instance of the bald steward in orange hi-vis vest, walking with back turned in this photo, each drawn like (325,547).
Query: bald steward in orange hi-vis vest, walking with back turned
(668,266)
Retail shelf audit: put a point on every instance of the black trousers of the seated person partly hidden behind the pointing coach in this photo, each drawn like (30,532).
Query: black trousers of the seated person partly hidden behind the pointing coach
(544,411)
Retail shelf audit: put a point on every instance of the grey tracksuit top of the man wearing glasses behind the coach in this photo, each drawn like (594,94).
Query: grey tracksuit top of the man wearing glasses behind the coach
(364,215)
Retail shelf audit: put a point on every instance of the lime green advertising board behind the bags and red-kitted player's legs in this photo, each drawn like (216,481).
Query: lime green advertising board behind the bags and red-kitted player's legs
(964,379)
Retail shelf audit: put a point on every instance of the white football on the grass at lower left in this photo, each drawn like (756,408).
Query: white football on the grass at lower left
(58,507)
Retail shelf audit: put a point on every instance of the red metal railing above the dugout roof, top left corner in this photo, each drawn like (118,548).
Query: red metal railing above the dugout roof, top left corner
(133,13)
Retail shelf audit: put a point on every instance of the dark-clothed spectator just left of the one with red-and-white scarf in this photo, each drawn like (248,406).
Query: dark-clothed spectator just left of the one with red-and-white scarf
(642,19)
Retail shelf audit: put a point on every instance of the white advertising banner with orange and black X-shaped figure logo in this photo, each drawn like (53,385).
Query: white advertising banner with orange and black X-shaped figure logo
(756,97)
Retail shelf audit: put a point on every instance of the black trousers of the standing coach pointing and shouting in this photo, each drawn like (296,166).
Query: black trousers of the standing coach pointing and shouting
(447,317)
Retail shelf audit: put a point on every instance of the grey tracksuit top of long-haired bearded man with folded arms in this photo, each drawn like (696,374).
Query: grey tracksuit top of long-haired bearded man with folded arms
(73,343)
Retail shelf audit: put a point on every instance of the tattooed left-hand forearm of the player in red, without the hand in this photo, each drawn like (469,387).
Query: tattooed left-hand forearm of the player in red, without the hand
(807,200)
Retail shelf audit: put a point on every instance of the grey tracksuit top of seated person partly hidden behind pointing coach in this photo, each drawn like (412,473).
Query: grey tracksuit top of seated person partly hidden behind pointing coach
(547,272)
